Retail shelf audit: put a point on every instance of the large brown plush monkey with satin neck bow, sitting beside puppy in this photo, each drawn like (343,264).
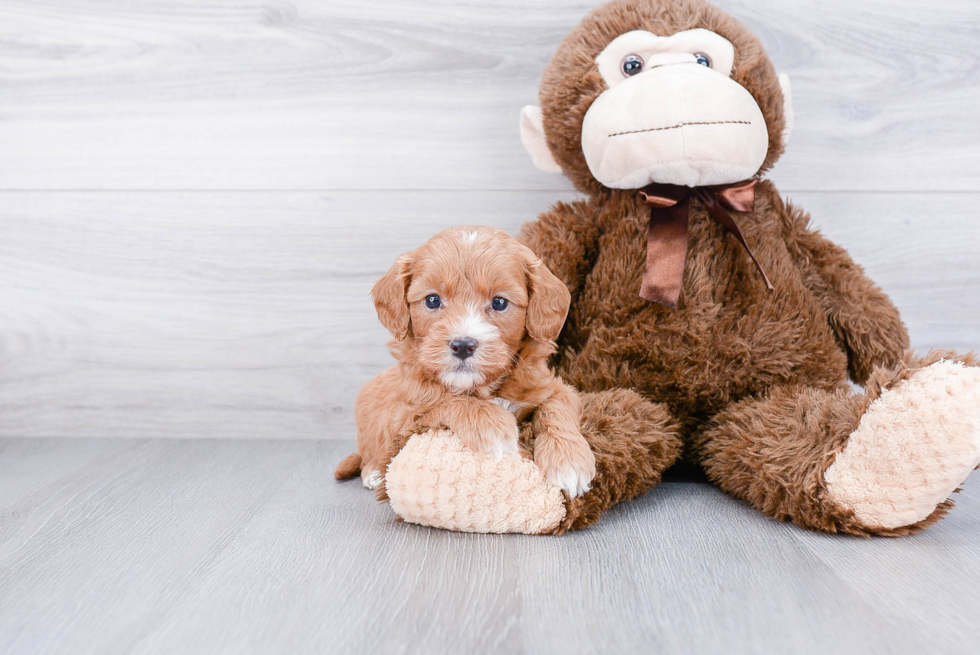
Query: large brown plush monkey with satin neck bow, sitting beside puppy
(708,320)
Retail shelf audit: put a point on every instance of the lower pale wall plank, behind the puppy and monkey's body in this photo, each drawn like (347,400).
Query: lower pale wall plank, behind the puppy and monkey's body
(248,314)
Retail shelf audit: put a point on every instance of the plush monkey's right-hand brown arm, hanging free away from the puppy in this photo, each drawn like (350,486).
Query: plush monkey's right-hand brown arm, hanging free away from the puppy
(862,316)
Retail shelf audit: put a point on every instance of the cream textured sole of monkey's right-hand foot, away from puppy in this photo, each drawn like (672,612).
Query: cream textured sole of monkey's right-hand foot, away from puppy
(915,445)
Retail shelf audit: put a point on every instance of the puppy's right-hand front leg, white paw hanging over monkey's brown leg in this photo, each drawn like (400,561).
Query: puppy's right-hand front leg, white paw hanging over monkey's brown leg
(560,450)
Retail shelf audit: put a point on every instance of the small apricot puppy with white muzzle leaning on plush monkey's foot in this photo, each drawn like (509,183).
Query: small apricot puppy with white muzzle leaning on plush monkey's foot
(474,315)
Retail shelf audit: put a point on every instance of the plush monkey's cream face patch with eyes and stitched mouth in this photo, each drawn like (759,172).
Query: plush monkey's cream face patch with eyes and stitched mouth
(672,114)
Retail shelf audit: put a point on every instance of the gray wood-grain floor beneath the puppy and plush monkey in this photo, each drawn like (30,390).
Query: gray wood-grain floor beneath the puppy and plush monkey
(250,546)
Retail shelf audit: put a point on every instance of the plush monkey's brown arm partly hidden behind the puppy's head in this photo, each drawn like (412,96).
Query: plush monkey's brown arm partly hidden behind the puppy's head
(566,238)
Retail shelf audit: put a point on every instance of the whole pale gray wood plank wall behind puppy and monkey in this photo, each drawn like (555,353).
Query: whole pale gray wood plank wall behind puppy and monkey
(195,198)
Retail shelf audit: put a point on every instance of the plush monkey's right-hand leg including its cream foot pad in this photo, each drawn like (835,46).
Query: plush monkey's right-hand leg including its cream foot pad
(881,463)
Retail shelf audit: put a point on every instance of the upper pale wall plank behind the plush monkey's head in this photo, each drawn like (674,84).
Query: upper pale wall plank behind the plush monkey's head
(426,94)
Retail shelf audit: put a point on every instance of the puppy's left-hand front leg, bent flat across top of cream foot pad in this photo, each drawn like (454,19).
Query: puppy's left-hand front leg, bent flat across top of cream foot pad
(482,426)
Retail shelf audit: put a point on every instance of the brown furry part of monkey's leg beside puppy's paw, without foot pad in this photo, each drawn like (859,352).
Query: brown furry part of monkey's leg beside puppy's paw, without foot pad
(634,442)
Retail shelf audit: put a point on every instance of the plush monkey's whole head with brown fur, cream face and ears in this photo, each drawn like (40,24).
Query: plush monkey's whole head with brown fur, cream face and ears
(667,91)
